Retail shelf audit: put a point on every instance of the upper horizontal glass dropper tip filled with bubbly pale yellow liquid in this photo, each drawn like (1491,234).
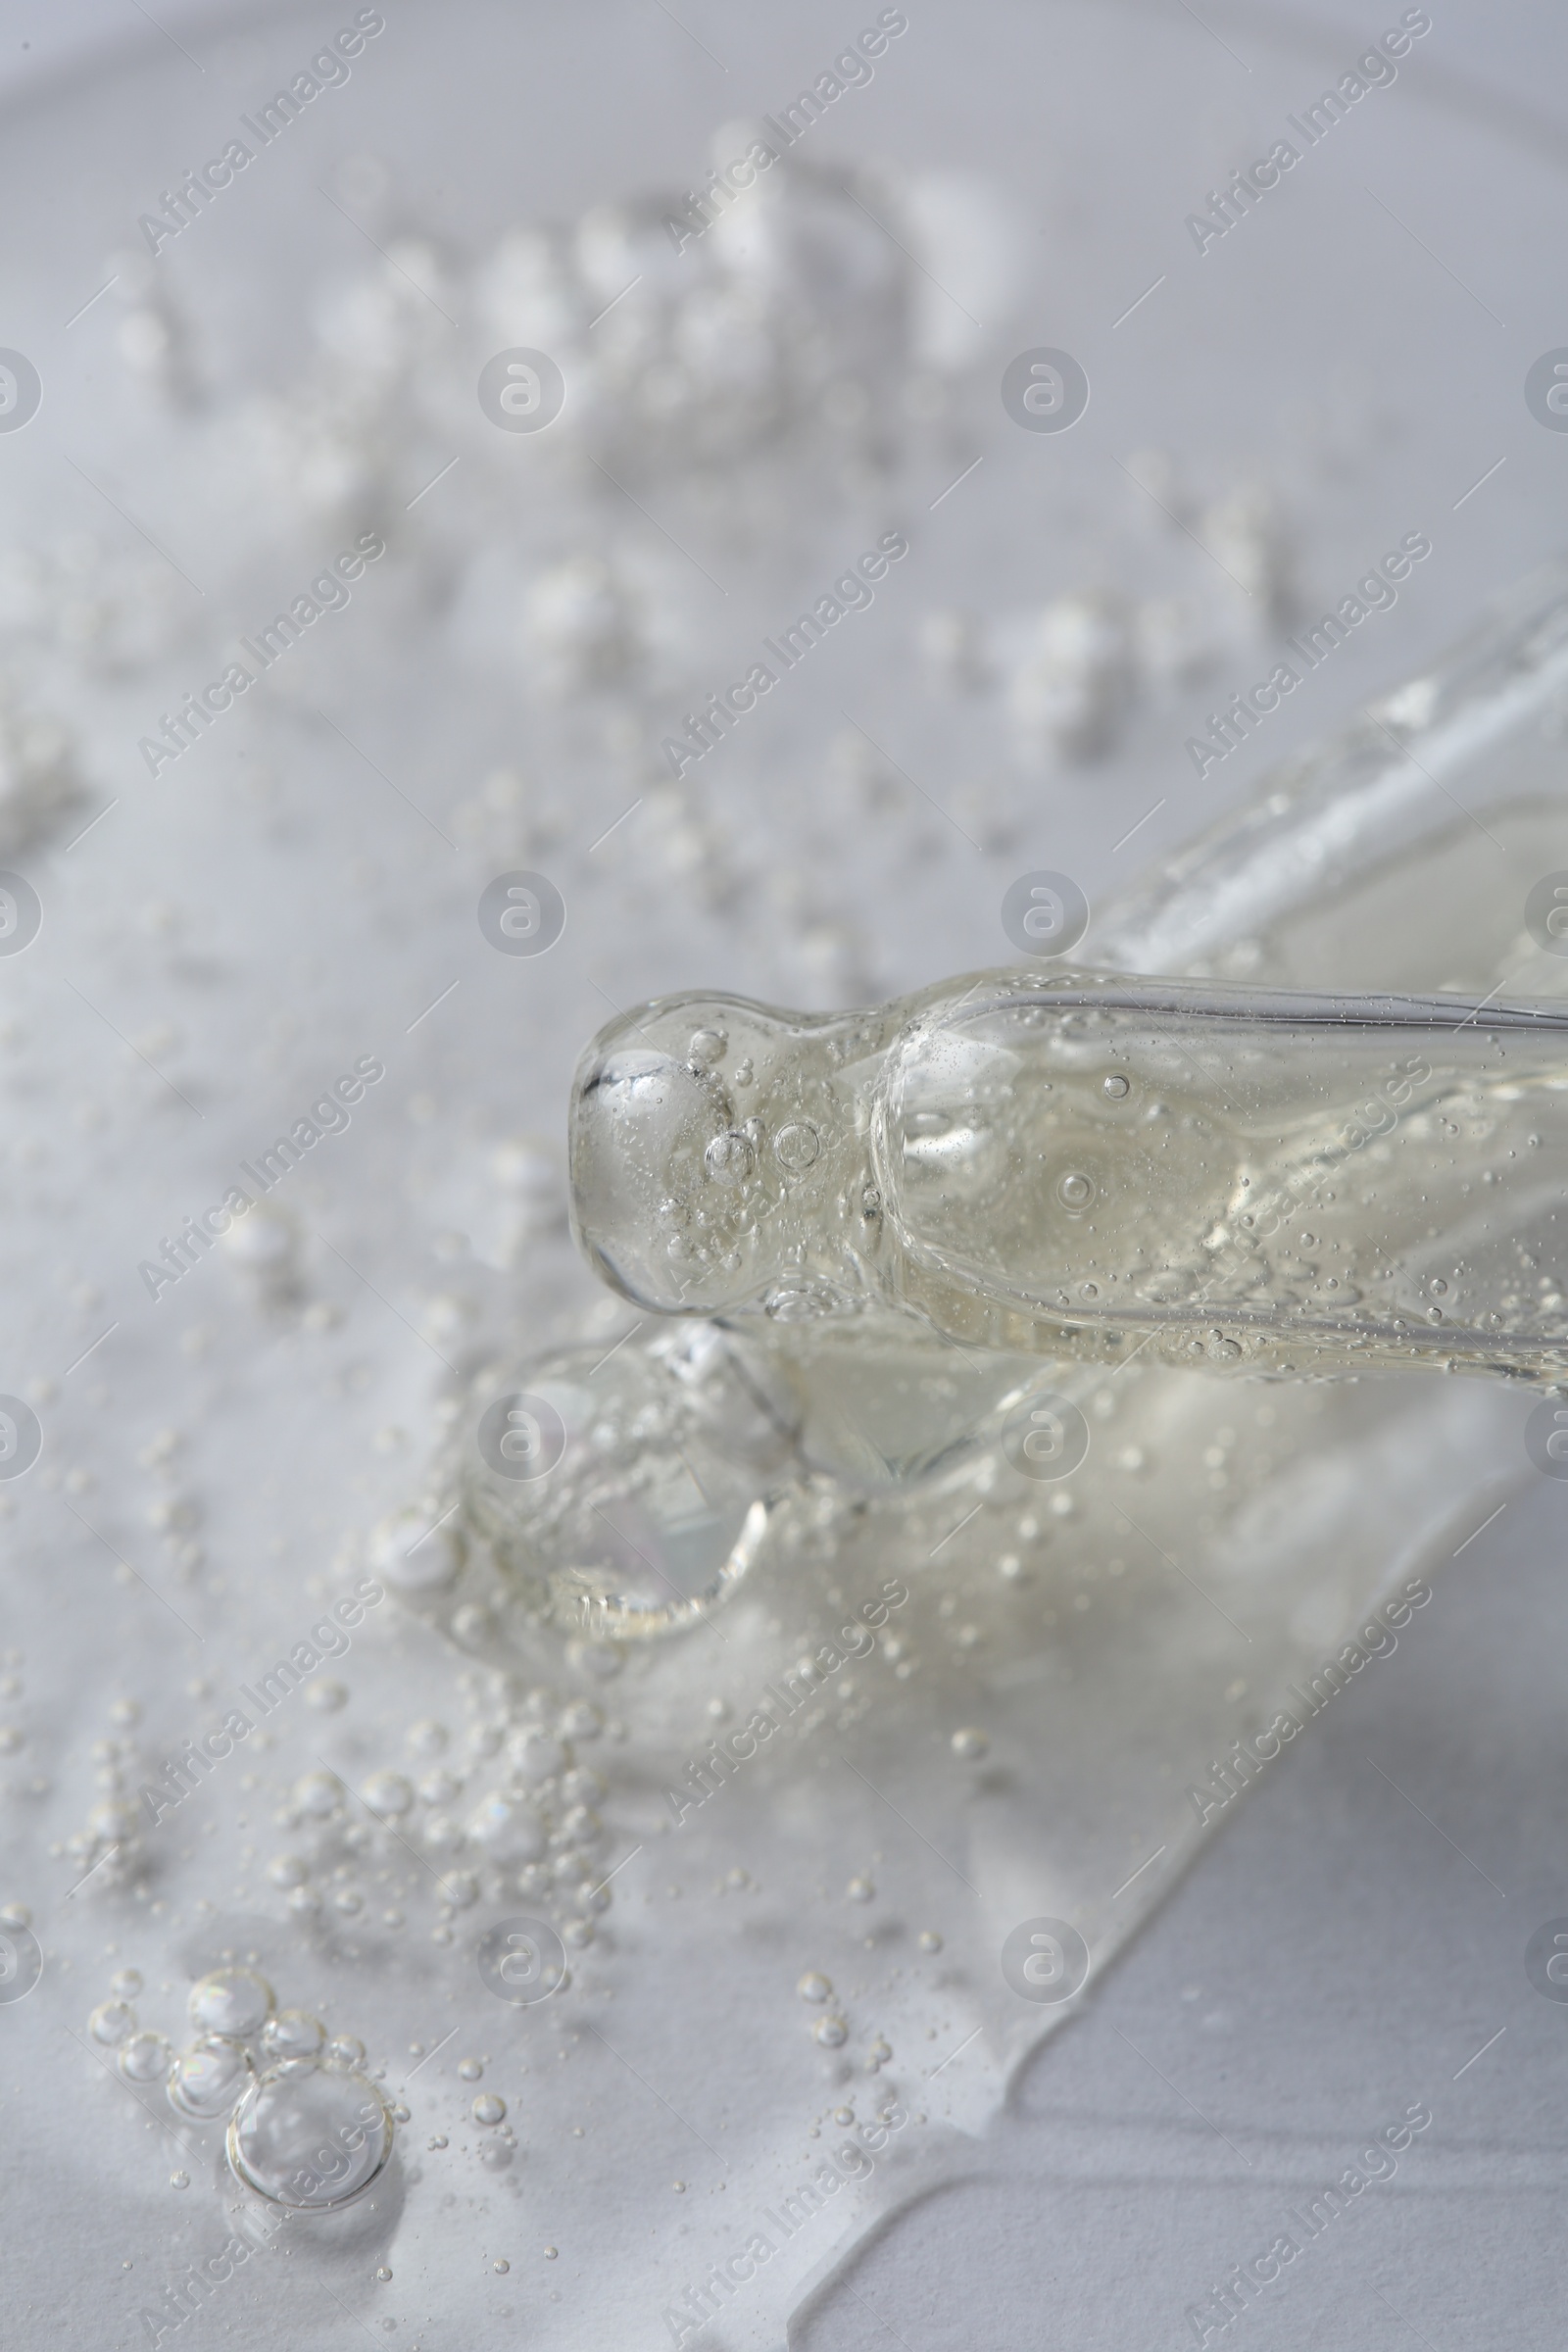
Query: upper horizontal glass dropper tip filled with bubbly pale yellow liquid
(1078,1165)
